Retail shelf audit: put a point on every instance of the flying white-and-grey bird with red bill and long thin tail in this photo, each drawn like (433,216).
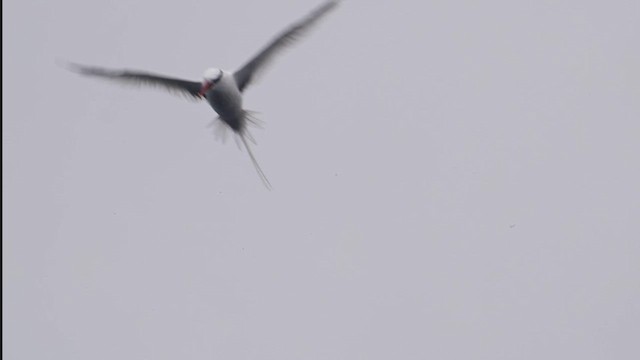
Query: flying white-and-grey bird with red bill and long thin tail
(222,89)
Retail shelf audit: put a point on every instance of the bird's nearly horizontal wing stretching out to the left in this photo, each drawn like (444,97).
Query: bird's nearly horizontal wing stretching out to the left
(183,87)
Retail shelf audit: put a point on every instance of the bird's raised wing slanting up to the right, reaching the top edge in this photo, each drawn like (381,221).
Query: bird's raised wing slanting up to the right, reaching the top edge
(246,74)
